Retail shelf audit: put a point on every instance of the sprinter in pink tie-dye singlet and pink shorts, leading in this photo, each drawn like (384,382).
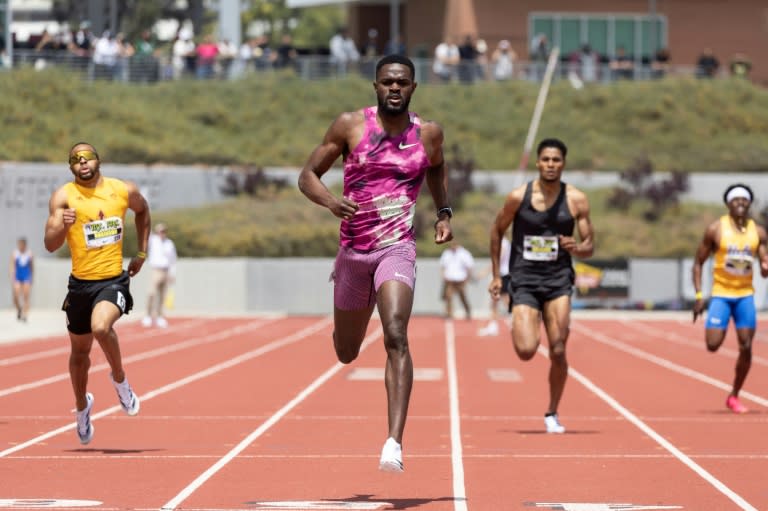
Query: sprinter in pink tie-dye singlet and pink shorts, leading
(387,152)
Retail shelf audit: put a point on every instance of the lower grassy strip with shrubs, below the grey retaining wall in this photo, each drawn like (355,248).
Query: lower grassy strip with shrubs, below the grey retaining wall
(286,224)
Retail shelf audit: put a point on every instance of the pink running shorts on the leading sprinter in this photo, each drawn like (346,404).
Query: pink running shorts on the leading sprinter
(358,275)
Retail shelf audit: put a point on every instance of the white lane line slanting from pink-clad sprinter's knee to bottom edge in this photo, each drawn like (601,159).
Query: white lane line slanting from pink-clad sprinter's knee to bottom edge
(274,419)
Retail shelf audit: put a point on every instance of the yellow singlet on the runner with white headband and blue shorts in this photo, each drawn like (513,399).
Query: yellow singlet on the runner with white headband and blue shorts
(734,259)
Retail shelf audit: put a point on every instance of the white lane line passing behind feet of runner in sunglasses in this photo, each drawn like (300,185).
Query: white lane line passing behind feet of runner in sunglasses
(297,336)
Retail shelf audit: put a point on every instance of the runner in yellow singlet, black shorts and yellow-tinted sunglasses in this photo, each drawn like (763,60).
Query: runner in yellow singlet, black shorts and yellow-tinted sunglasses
(89,214)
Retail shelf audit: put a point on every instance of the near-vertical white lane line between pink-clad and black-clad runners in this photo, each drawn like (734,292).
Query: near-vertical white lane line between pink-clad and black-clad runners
(457,457)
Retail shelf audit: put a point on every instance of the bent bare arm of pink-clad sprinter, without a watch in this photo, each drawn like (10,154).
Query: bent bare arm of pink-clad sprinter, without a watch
(320,160)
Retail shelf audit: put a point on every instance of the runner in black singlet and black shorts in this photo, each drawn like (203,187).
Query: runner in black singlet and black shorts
(543,214)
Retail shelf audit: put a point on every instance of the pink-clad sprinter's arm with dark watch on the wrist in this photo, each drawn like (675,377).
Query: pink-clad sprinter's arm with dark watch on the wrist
(437,179)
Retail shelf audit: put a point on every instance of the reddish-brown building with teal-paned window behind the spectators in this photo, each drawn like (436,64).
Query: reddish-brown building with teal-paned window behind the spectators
(686,28)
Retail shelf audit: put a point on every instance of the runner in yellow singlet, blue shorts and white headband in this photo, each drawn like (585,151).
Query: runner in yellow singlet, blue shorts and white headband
(736,243)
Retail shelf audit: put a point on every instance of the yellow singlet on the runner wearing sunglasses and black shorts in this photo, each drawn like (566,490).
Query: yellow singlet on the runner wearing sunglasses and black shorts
(96,238)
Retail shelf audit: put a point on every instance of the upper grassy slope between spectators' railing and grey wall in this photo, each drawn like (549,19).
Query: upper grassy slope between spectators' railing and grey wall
(275,120)
